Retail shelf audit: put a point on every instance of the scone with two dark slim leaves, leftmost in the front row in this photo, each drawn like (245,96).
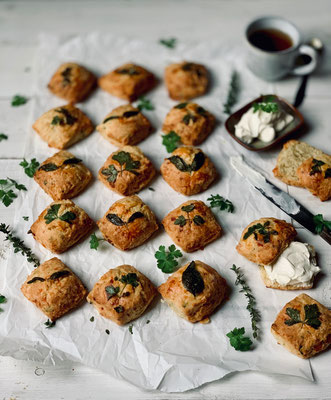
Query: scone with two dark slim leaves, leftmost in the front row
(54,289)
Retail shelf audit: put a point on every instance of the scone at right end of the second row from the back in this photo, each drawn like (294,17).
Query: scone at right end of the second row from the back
(191,122)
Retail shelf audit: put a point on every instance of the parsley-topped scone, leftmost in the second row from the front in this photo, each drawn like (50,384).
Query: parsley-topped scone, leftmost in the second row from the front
(61,225)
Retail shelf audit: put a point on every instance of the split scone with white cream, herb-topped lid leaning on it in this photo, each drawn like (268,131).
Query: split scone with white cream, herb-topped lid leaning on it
(284,264)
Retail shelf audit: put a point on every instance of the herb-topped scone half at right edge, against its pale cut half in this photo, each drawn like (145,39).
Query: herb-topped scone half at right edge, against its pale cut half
(315,175)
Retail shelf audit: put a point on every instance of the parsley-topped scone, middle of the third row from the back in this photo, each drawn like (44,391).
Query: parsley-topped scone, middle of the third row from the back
(127,171)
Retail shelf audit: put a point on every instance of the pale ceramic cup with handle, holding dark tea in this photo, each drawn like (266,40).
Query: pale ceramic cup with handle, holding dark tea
(274,65)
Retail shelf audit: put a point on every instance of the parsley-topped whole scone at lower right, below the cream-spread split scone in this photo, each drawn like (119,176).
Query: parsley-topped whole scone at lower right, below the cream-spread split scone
(303,327)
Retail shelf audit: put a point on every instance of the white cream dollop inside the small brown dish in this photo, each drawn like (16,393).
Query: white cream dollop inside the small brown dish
(261,125)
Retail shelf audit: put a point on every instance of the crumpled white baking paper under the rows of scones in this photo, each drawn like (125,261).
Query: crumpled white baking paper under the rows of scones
(169,353)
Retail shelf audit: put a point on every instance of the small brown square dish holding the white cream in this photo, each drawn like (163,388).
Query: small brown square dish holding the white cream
(258,145)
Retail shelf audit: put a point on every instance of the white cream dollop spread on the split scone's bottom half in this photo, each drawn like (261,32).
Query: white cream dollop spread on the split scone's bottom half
(295,266)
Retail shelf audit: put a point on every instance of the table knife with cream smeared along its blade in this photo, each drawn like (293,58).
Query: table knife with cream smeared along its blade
(278,197)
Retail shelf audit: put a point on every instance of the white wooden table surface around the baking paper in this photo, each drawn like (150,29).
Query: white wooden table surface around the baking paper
(20,23)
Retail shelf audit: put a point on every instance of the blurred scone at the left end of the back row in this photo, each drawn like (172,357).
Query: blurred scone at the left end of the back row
(72,82)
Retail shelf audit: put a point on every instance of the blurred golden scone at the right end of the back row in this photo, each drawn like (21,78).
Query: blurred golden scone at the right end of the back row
(186,80)
